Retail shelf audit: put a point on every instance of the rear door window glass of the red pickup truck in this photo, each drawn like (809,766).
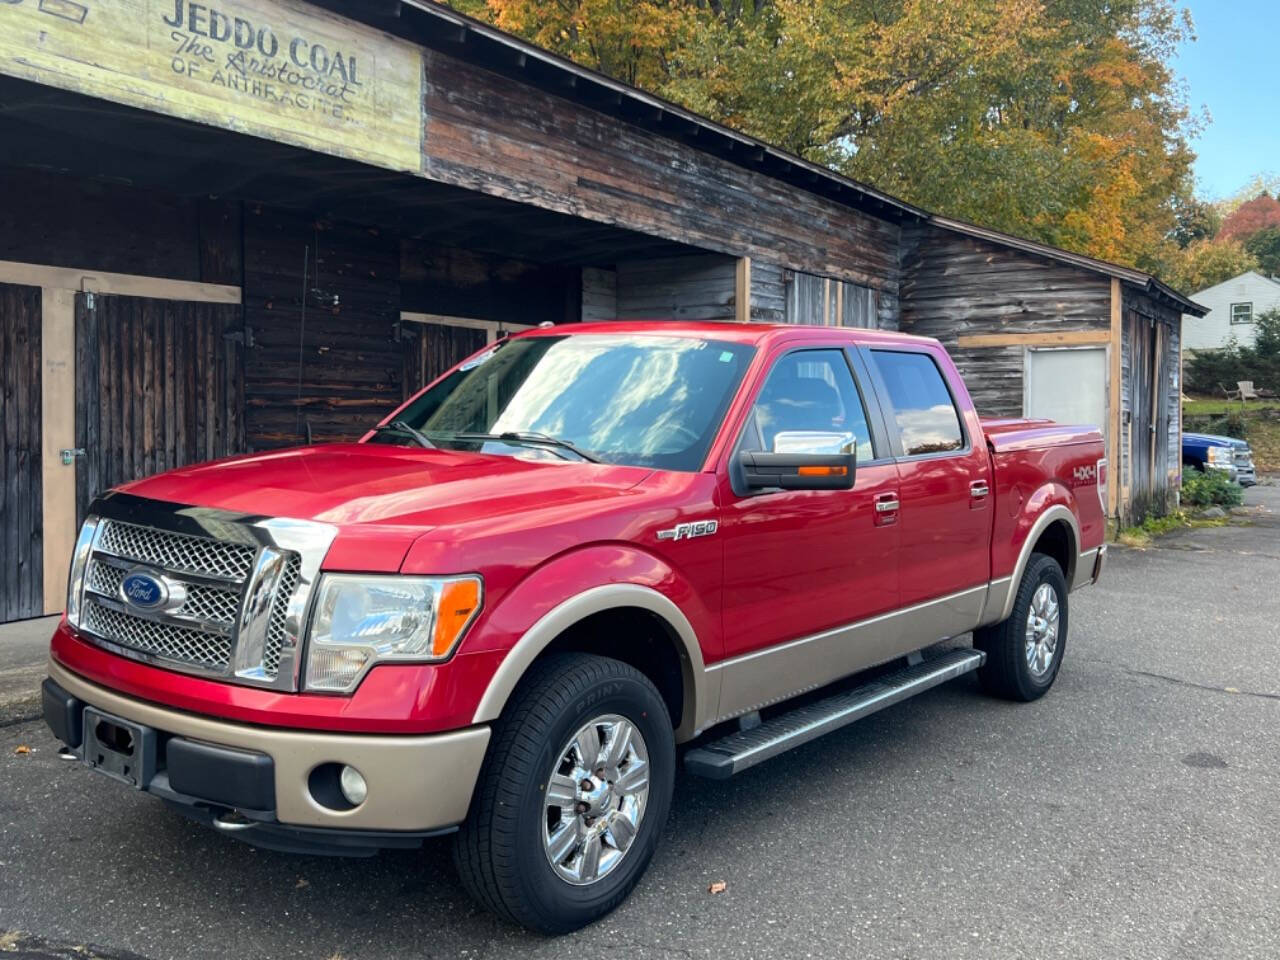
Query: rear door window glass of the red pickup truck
(926,414)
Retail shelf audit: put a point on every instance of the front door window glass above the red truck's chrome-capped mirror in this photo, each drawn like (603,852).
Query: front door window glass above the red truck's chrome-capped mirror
(810,405)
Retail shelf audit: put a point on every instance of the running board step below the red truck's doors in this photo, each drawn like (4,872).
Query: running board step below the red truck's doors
(747,748)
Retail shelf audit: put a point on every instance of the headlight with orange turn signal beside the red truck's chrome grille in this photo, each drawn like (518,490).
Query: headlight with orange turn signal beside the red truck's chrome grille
(364,620)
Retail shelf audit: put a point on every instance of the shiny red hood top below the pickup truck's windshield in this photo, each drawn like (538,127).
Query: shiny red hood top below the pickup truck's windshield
(387,486)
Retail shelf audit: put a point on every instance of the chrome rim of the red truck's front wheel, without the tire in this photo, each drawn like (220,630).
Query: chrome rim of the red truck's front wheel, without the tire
(596,799)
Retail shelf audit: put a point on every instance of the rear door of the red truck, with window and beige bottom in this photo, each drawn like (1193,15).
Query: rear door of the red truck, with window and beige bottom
(945,490)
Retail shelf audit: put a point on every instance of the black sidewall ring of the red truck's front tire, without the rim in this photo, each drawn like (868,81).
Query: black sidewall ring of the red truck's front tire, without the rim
(559,902)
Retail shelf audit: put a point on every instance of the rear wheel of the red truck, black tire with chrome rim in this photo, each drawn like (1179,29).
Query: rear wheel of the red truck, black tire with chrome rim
(1013,671)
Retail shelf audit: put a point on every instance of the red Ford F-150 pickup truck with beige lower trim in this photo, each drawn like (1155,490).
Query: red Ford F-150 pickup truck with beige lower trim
(501,611)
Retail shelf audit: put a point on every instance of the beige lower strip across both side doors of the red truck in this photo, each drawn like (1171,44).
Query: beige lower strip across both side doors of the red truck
(780,673)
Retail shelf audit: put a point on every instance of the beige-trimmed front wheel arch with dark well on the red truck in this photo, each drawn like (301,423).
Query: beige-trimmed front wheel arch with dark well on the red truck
(566,628)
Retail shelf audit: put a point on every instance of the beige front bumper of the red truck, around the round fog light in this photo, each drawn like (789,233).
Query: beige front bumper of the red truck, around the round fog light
(415,783)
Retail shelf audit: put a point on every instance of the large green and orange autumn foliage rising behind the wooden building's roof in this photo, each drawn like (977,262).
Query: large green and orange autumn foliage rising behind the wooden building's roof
(1055,120)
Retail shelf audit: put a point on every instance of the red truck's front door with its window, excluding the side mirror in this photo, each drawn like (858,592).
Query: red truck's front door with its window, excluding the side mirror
(804,568)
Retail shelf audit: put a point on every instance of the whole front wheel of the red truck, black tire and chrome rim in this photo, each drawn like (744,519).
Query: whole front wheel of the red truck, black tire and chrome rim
(505,851)
